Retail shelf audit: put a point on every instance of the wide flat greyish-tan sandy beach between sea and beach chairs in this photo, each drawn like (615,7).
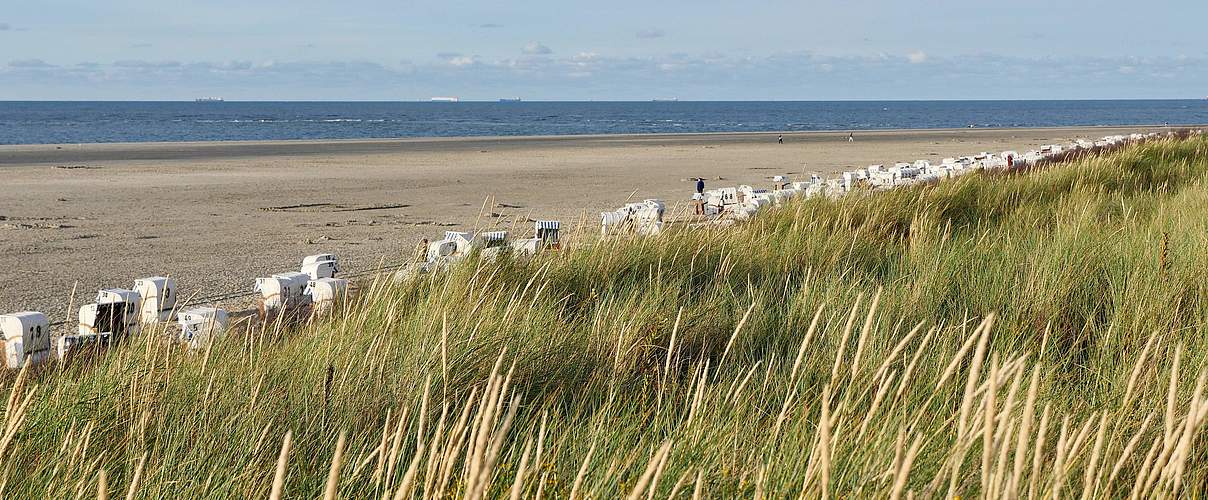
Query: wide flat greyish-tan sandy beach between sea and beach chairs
(217,216)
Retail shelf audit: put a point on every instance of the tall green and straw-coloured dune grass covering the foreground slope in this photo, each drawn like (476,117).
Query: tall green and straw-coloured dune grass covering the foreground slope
(991,336)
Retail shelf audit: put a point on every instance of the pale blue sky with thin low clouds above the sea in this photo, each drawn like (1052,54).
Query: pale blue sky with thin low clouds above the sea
(619,50)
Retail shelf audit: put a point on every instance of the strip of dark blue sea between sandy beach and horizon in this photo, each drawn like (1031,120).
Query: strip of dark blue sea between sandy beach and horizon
(69,123)
